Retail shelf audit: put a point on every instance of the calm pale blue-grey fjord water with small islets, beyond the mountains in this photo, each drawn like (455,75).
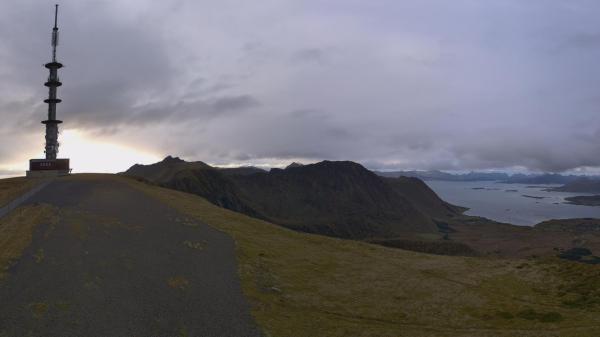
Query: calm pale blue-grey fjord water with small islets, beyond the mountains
(507,203)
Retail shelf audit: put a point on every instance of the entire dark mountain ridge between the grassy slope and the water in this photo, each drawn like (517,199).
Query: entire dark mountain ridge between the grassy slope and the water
(341,199)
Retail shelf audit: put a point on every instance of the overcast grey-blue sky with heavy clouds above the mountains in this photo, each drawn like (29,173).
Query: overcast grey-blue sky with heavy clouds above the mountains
(398,84)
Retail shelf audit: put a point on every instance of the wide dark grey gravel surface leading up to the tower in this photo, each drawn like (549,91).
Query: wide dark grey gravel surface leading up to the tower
(119,263)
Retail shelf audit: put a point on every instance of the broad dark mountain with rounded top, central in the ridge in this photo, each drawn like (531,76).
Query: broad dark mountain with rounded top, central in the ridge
(334,198)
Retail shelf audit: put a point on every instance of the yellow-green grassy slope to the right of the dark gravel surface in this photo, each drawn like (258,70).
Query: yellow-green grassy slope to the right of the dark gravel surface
(308,285)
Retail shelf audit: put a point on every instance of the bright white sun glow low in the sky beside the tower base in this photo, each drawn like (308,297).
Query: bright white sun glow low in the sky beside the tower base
(89,155)
